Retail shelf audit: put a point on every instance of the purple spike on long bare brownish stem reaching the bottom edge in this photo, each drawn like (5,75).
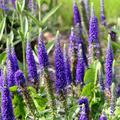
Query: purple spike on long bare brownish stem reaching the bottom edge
(44,64)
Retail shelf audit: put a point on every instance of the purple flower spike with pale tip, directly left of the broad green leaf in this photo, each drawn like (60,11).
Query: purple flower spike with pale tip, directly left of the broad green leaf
(80,67)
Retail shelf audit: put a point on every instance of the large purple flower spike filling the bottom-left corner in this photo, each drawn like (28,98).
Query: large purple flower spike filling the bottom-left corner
(6,108)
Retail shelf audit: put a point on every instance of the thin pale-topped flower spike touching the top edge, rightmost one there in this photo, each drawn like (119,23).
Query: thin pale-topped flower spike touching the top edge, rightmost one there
(103,18)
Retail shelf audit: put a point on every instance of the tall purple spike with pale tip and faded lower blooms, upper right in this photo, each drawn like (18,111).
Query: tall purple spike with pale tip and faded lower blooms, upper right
(93,41)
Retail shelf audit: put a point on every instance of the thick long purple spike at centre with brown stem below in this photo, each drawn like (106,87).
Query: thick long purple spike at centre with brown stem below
(60,73)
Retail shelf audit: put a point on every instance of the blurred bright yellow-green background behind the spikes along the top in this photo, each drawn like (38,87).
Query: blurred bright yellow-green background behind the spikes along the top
(65,13)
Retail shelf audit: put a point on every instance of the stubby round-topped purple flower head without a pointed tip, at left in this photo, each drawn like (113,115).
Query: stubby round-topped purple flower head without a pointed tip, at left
(20,78)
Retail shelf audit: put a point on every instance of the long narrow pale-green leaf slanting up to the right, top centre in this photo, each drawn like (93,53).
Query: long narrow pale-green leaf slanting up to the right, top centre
(49,14)
